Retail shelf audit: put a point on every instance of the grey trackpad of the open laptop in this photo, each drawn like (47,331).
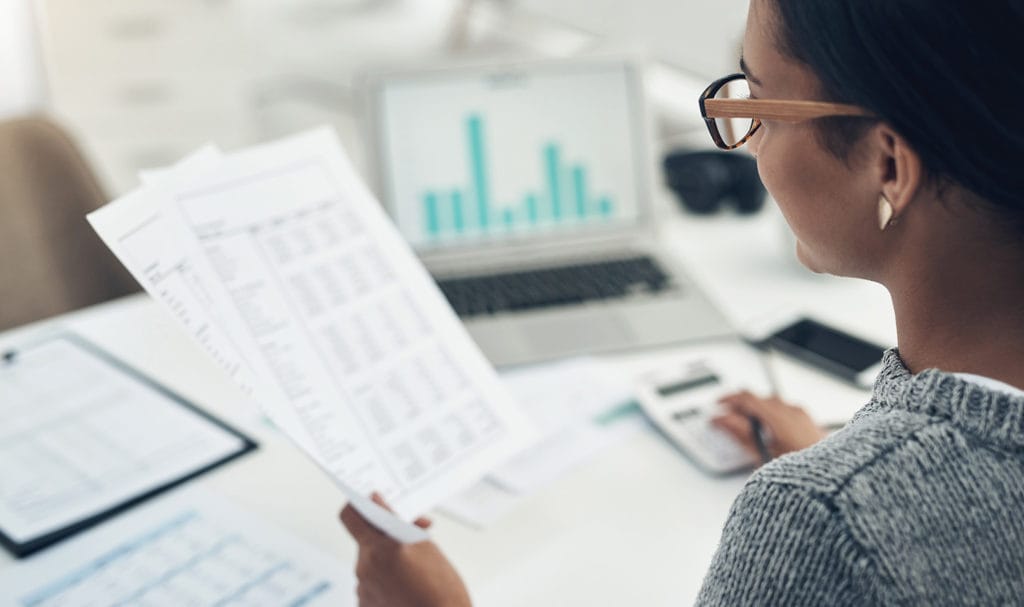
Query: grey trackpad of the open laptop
(579,332)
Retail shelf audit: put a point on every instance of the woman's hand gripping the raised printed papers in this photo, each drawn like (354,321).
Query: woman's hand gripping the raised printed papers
(397,575)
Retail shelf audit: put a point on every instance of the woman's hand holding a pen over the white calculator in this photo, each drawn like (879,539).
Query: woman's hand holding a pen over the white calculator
(789,427)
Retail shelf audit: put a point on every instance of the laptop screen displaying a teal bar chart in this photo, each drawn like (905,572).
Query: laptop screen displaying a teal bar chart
(479,157)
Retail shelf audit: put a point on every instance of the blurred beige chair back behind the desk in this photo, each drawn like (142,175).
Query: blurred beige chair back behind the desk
(51,259)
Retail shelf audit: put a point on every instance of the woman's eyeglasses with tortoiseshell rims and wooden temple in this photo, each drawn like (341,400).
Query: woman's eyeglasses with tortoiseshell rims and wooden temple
(733,117)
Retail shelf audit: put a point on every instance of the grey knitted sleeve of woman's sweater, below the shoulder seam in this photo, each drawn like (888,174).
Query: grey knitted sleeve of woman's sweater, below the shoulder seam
(786,546)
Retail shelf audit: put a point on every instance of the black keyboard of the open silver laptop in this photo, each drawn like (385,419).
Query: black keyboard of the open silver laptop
(491,294)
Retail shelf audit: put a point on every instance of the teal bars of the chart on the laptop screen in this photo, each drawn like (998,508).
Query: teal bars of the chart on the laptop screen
(566,195)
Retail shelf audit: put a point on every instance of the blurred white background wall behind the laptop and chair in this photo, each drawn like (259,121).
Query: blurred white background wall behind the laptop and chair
(142,82)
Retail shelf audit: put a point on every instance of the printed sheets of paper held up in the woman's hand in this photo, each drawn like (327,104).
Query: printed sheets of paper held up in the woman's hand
(281,264)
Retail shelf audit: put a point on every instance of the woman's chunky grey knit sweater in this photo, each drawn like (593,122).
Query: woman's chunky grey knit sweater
(919,501)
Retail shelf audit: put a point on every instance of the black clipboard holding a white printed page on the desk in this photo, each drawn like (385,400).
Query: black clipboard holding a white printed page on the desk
(87,438)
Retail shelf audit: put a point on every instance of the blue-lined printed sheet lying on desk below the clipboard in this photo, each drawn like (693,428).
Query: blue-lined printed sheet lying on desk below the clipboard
(189,549)
